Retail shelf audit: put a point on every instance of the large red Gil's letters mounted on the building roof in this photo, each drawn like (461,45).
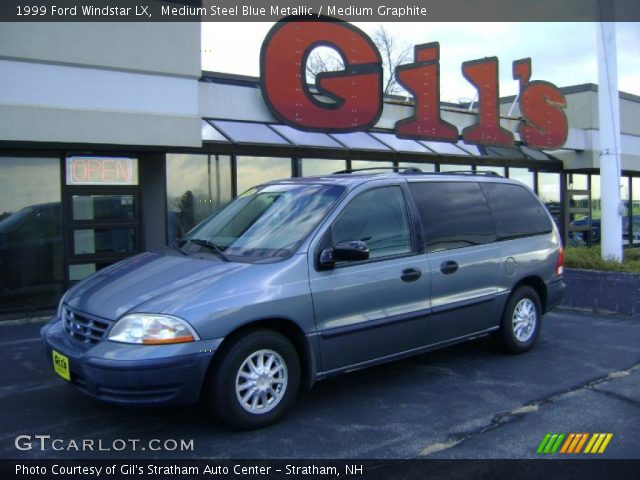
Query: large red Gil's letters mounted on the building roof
(356,92)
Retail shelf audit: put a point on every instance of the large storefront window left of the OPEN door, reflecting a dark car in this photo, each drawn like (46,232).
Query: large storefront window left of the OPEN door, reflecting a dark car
(31,254)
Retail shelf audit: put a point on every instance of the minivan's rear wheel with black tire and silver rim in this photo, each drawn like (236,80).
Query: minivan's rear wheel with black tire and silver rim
(521,321)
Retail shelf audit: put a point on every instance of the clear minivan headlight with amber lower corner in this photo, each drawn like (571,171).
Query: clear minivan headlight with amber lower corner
(150,329)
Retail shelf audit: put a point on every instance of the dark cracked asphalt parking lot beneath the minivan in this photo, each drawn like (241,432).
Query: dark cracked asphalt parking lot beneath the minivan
(468,401)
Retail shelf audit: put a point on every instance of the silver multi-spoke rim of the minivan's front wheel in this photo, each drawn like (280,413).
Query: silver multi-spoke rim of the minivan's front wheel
(261,381)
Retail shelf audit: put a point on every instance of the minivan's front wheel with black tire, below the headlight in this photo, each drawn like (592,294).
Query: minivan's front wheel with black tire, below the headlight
(241,392)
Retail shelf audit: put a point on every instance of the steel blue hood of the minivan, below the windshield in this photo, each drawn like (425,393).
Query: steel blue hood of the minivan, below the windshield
(146,283)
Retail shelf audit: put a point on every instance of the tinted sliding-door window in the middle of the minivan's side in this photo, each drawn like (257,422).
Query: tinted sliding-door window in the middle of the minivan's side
(453,214)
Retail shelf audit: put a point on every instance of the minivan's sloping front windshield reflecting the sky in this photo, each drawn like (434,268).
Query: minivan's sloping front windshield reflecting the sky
(266,223)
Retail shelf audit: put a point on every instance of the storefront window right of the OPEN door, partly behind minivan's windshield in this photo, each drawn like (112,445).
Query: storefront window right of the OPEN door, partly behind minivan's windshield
(196,185)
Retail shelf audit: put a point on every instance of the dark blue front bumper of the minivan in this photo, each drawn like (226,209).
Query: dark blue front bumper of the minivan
(127,374)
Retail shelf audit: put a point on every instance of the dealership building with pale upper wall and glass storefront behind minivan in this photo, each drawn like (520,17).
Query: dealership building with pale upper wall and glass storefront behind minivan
(113,141)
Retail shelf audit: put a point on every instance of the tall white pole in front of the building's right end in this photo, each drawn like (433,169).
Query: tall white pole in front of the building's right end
(609,150)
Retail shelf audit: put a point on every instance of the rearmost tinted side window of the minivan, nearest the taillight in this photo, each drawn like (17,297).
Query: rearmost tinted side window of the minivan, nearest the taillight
(517,211)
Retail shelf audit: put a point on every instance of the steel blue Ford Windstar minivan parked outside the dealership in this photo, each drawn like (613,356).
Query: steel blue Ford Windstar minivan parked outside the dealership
(300,279)
